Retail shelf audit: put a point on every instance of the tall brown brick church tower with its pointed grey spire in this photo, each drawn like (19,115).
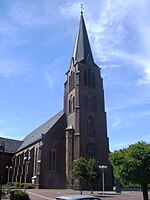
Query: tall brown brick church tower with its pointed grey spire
(86,132)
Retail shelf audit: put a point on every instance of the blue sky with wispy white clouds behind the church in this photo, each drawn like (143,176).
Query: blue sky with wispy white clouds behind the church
(36,44)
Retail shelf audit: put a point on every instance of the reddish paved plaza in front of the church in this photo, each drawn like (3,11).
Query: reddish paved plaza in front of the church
(51,194)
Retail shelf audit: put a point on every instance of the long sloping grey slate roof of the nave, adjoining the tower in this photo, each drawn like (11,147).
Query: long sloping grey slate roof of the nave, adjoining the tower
(36,135)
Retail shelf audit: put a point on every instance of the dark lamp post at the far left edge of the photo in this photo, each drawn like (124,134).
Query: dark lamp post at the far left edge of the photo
(2,149)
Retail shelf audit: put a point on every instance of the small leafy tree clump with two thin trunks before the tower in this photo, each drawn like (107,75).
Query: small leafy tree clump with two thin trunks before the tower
(85,171)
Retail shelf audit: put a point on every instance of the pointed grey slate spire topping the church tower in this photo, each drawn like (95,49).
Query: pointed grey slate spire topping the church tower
(82,47)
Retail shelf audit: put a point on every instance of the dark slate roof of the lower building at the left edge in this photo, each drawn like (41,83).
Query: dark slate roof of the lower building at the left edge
(10,145)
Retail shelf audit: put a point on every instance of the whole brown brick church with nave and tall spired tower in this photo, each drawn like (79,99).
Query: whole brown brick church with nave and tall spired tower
(46,155)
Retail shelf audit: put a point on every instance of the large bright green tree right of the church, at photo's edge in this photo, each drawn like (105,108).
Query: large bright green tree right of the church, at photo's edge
(132,165)
